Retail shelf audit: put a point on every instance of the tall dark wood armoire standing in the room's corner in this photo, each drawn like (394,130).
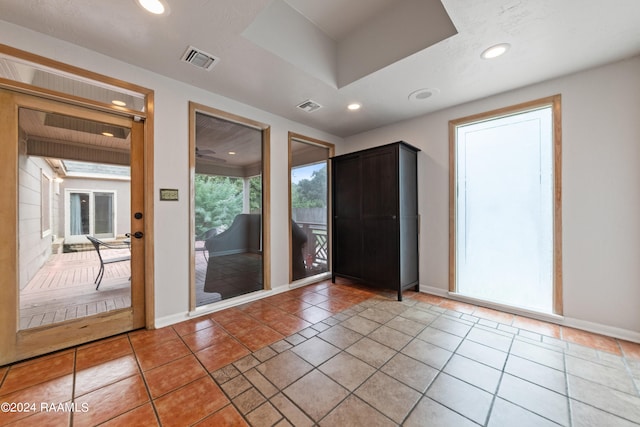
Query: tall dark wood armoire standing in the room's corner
(375,217)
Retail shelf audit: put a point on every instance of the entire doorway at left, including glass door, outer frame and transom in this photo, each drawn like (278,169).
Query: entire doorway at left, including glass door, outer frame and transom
(63,136)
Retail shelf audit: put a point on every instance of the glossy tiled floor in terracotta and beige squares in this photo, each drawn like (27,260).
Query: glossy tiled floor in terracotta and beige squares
(337,355)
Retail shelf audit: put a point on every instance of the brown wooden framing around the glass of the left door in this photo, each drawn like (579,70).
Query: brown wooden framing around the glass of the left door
(141,123)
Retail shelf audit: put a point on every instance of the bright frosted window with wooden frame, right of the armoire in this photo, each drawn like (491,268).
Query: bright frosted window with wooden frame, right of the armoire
(505,180)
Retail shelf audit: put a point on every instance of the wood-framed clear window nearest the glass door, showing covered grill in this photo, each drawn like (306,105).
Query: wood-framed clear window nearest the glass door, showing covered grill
(229,159)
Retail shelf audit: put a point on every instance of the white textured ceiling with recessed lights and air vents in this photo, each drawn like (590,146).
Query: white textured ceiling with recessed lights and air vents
(549,38)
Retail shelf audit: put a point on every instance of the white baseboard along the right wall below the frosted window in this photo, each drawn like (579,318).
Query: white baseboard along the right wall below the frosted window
(596,328)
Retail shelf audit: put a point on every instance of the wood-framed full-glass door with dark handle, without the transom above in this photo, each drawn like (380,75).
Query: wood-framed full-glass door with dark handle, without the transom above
(64,288)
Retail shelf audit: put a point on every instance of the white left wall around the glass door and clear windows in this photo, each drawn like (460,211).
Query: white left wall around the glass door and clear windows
(171,221)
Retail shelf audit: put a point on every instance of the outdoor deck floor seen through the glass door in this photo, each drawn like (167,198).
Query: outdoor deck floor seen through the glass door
(63,288)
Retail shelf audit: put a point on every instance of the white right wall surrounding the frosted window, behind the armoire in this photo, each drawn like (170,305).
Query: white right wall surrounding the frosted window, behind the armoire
(600,190)
